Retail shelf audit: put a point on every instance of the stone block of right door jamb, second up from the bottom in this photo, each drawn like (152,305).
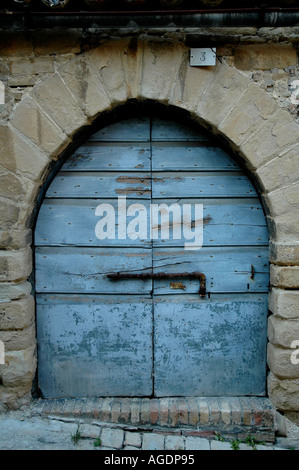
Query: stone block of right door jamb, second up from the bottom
(279,361)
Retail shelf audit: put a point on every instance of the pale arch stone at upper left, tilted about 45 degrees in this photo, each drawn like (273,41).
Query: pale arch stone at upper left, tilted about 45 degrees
(35,125)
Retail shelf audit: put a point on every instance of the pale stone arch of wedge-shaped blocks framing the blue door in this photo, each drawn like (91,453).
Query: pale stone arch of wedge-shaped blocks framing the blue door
(49,120)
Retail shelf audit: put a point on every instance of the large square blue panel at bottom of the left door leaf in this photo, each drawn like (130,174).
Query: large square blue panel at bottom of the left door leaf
(94,346)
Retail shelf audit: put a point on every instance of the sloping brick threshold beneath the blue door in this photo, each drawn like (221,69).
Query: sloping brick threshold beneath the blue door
(235,417)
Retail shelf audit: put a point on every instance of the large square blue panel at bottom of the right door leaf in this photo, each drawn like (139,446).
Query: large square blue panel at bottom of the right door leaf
(212,347)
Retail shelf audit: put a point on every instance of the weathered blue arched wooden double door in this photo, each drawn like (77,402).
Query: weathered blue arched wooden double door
(149,336)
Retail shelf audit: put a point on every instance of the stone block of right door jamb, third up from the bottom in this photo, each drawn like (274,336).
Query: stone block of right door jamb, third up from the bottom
(282,332)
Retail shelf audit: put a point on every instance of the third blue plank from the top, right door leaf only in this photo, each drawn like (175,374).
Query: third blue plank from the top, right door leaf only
(205,184)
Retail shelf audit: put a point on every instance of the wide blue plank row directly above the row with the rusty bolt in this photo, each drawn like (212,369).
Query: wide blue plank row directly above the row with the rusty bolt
(63,222)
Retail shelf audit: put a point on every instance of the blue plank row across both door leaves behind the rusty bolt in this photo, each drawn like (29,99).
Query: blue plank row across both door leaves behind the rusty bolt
(68,269)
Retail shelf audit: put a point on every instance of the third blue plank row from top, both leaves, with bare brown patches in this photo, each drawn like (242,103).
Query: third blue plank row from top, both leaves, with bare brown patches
(180,184)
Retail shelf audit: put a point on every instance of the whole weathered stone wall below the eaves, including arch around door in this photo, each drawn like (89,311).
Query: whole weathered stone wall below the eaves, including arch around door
(58,83)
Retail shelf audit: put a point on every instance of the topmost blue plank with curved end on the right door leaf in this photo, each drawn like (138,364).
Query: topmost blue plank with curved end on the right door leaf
(167,130)
